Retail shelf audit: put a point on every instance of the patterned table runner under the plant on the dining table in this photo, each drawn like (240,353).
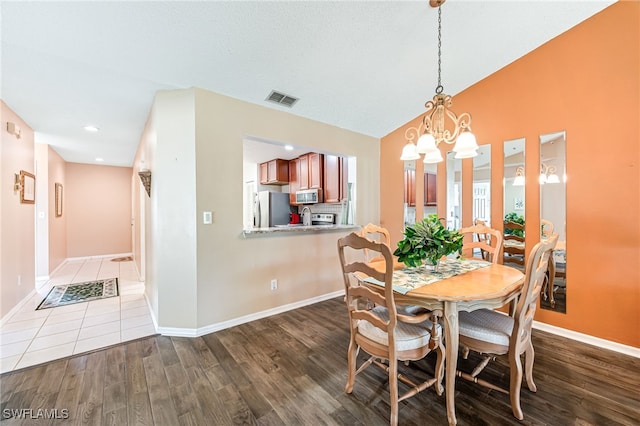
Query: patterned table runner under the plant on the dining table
(405,280)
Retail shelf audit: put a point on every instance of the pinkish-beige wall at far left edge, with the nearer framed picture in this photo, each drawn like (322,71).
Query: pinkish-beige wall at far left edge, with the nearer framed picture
(17,228)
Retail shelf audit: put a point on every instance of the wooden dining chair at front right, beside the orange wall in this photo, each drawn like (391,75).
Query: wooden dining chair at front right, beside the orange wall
(493,333)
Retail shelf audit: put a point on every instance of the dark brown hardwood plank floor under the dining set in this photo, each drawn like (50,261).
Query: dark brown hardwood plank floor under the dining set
(290,369)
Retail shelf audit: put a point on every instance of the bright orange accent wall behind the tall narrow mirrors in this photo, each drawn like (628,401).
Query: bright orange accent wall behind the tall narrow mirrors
(587,82)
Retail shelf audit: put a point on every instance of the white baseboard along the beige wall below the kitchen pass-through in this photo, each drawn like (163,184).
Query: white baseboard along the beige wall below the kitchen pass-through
(191,332)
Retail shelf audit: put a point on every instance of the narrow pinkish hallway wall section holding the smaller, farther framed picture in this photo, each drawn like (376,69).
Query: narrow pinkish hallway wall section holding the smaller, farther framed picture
(57,225)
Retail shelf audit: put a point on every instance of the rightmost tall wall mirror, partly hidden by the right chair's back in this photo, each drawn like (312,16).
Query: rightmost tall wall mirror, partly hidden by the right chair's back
(553,209)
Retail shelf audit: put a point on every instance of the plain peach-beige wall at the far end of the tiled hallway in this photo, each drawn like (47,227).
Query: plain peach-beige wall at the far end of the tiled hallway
(97,209)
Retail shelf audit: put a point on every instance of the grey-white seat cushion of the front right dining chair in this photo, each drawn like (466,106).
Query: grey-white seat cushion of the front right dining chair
(486,325)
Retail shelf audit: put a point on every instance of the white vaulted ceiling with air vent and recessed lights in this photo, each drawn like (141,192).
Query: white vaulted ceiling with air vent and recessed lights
(364,66)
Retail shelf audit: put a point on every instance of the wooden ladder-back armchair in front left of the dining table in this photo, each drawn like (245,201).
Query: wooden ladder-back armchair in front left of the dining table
(382,332)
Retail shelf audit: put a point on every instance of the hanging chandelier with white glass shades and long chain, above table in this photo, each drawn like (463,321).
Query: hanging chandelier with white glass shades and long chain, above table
(433,130)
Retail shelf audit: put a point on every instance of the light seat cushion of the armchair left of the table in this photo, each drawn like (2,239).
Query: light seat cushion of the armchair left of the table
(408,336)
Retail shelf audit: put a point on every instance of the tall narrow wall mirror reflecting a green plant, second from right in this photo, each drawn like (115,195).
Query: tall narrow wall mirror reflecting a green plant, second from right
(514,203)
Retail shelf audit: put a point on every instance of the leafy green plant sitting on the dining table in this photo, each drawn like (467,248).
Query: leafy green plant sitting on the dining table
(427,240)
